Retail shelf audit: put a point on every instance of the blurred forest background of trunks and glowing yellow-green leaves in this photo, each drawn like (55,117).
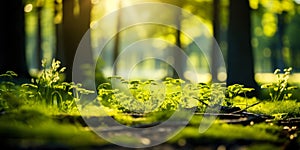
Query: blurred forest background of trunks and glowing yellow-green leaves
(255,37)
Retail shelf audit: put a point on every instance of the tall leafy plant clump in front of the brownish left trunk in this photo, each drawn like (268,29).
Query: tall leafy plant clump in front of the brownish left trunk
(49,88)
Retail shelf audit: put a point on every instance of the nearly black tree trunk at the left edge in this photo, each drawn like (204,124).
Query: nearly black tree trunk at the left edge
(12,39)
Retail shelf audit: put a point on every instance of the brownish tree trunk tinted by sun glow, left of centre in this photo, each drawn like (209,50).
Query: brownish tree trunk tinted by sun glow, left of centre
(74,27)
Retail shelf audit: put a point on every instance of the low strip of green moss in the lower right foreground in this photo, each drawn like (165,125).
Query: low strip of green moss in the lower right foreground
(226,133)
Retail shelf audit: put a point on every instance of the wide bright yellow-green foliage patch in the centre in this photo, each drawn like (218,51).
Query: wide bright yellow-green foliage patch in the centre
(170,95)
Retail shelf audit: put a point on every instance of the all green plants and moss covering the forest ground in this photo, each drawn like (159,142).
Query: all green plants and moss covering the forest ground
(43,112)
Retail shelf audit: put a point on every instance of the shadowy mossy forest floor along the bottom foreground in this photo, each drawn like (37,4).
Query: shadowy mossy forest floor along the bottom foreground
(33,129)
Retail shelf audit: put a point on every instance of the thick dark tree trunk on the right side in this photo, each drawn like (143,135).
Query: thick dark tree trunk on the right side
(240,56)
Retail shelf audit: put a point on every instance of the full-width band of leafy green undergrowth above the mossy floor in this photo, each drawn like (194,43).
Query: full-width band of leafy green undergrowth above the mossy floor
(142,97)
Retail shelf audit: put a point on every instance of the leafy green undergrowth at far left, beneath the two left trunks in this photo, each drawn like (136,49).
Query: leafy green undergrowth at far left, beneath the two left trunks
(47,89)
